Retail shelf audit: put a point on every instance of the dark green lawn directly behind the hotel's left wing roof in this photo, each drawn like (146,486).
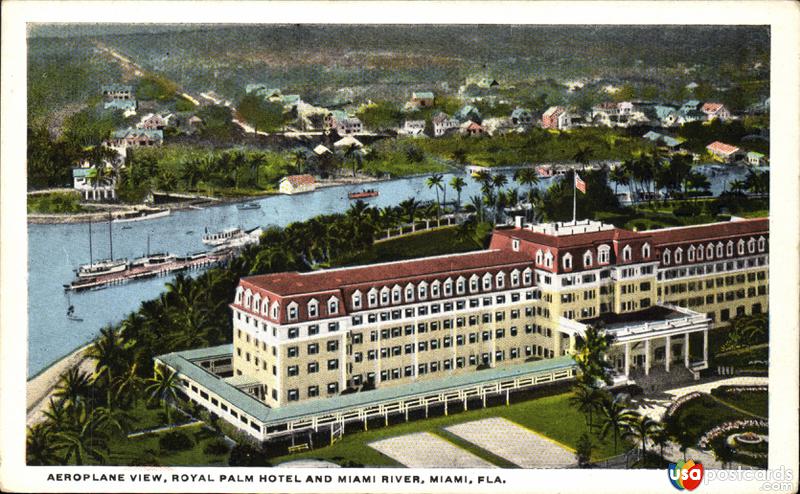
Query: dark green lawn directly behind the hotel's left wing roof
(428,243)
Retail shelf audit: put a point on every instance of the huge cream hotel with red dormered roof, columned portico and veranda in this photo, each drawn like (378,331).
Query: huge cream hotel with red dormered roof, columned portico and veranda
(315,351)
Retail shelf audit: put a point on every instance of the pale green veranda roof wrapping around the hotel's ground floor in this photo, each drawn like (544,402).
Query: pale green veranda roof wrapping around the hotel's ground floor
(183,363)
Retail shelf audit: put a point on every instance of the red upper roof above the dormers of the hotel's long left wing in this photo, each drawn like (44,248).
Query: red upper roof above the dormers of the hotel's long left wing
(288,284)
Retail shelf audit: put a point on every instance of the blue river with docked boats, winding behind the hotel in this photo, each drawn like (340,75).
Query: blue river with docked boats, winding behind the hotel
(56,250)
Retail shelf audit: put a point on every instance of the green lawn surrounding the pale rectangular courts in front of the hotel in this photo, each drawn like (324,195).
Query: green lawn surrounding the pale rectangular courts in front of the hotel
(551,416)
